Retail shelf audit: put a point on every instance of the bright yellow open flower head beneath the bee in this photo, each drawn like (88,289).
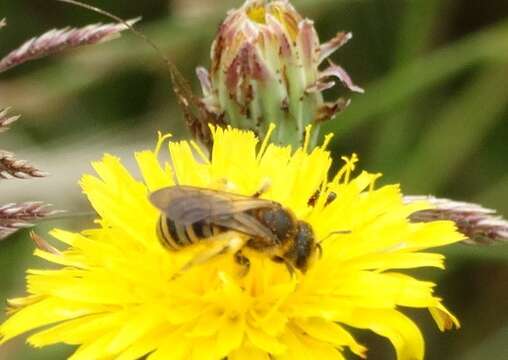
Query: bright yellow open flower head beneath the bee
(115,293)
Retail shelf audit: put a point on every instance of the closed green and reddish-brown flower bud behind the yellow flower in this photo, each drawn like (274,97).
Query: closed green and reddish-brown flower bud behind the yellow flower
(265,69)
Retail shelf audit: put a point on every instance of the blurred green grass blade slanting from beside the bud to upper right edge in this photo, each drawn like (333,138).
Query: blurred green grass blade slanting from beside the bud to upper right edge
(408,81)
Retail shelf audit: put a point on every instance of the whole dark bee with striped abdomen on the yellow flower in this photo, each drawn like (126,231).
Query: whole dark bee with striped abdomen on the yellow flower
(190,215)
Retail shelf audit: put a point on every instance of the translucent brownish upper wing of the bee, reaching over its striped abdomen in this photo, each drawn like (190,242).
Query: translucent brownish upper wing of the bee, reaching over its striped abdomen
(187,205)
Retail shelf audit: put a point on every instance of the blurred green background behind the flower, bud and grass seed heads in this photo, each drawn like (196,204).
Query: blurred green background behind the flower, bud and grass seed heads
(434,118)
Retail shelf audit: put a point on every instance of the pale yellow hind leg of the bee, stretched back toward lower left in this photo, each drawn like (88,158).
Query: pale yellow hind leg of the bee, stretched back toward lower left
(220,244)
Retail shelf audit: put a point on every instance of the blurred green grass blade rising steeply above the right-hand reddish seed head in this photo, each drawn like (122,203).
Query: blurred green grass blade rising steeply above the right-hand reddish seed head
(467,119)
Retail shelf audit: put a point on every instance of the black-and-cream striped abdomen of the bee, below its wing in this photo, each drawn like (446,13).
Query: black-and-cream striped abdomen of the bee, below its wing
(174,236)
